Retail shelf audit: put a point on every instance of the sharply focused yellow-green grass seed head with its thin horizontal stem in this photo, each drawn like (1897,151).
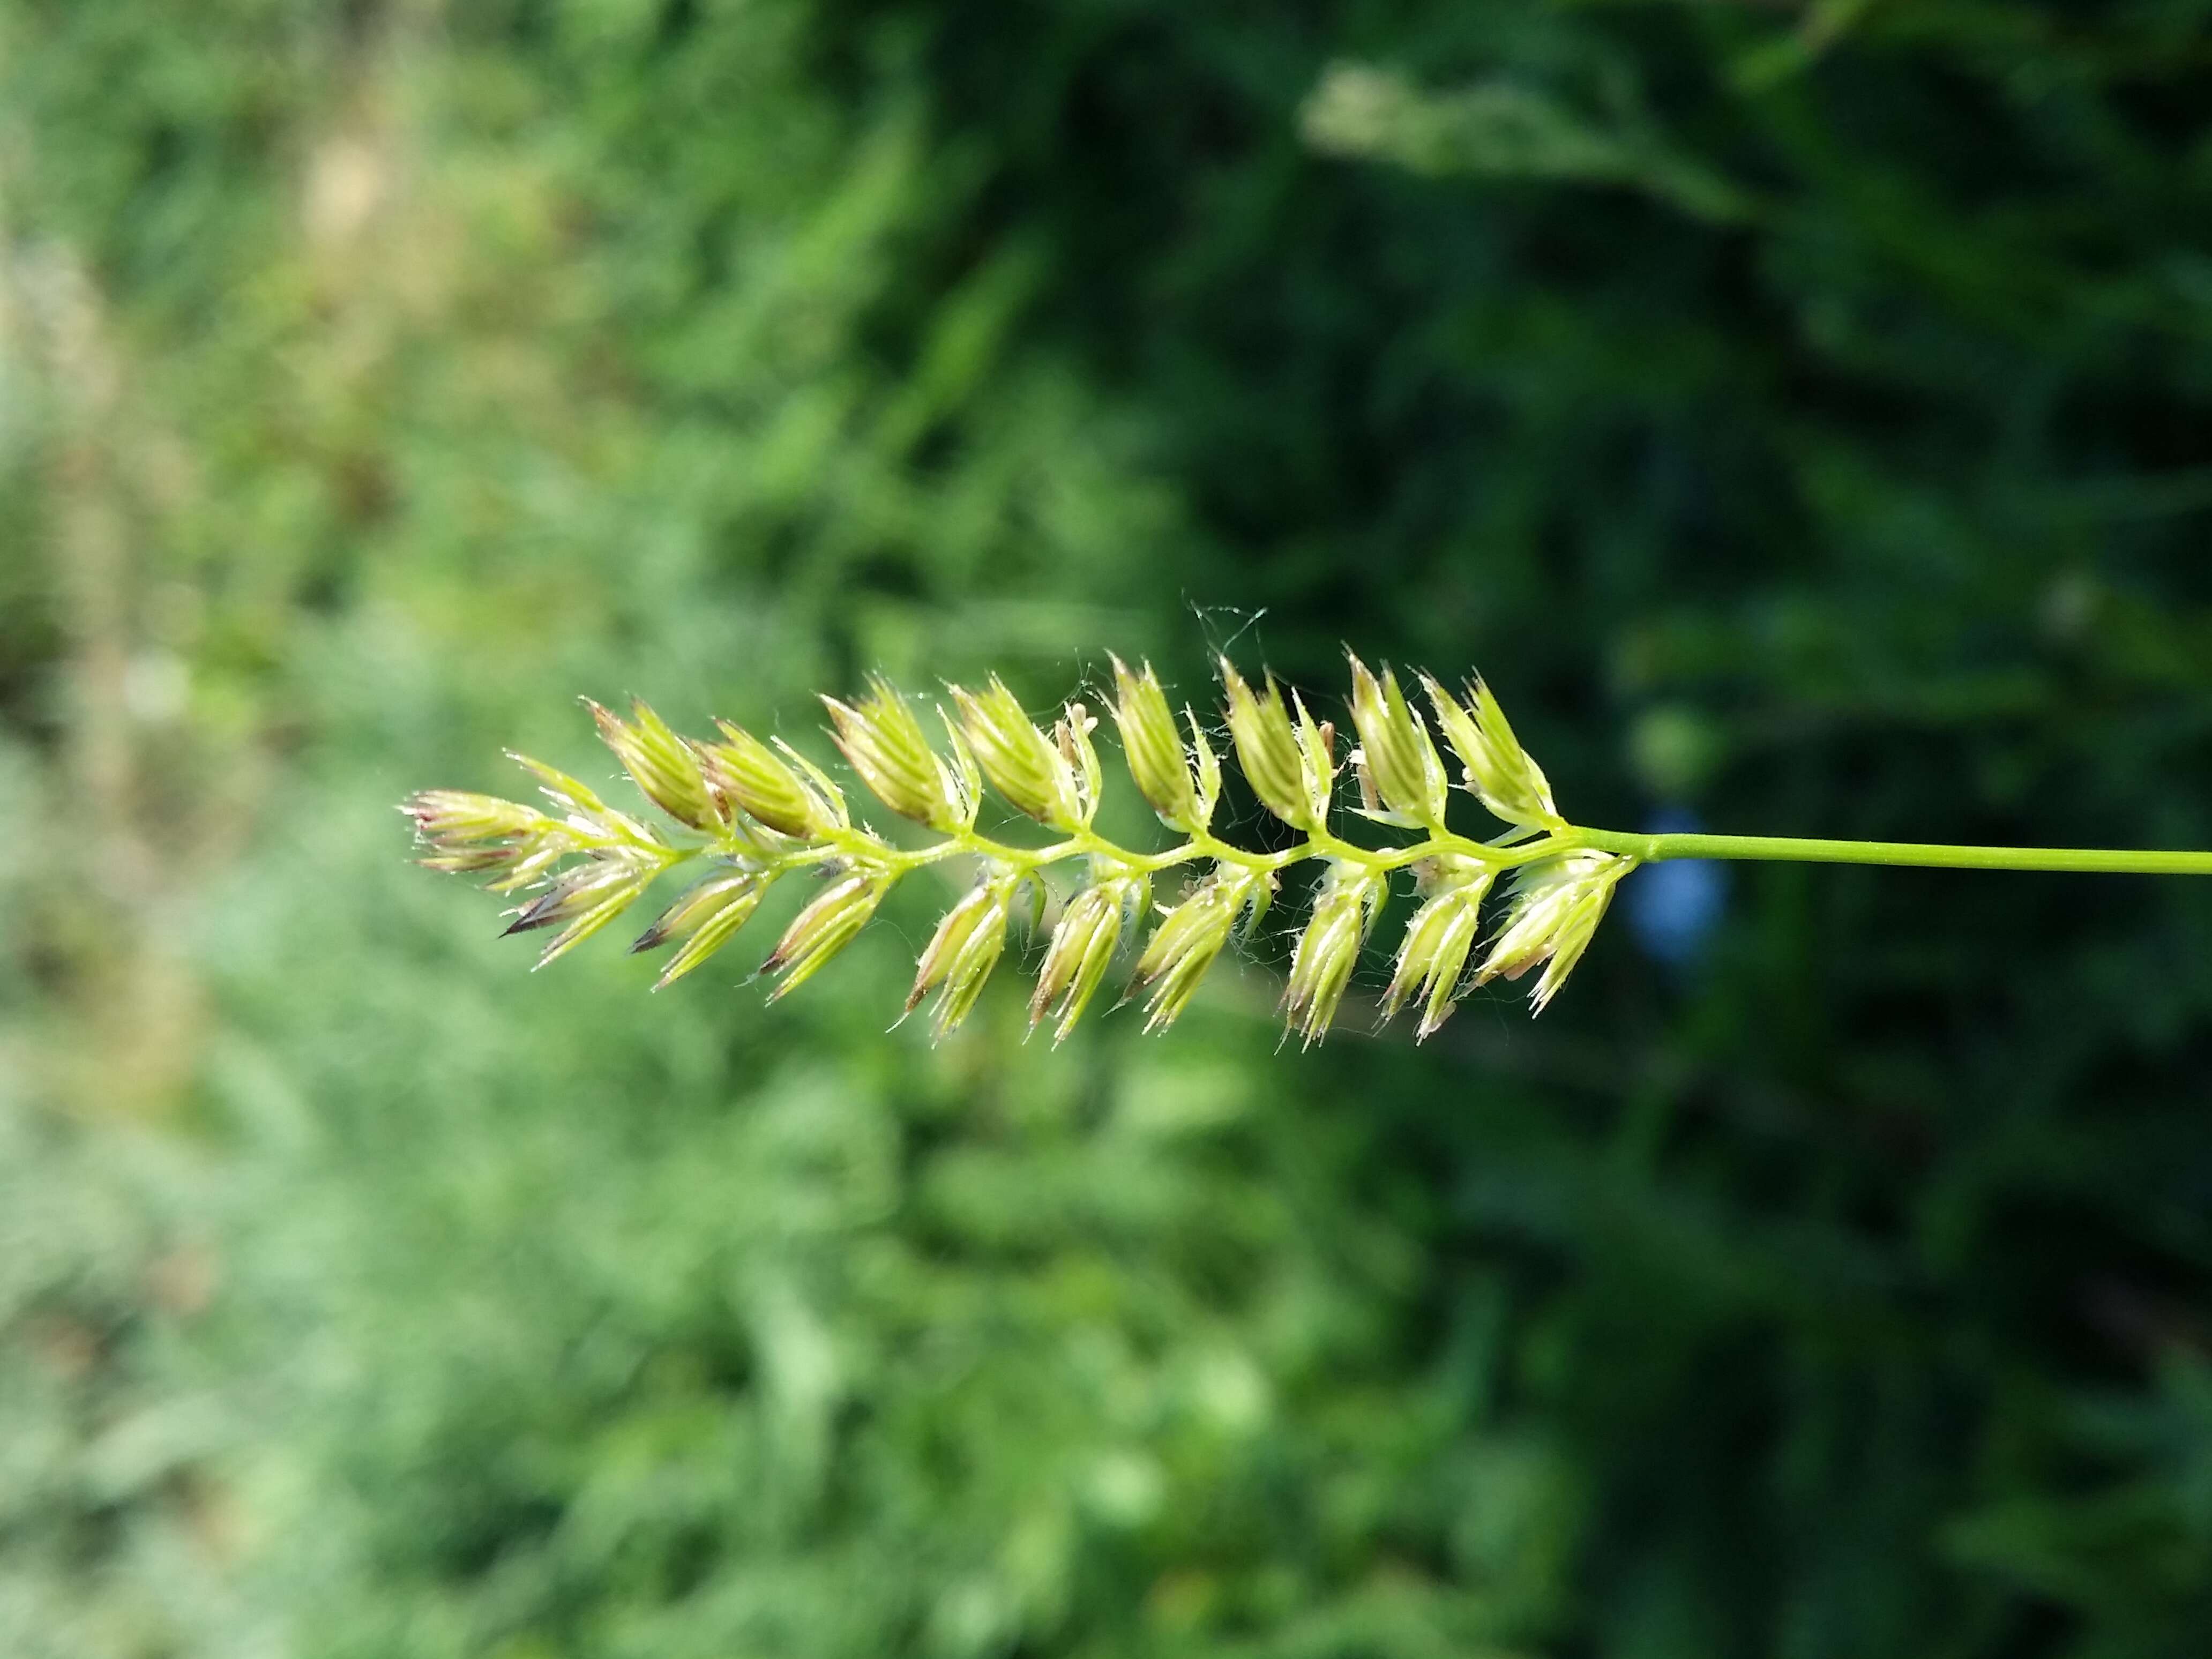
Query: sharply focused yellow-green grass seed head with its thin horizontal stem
(751,815)
